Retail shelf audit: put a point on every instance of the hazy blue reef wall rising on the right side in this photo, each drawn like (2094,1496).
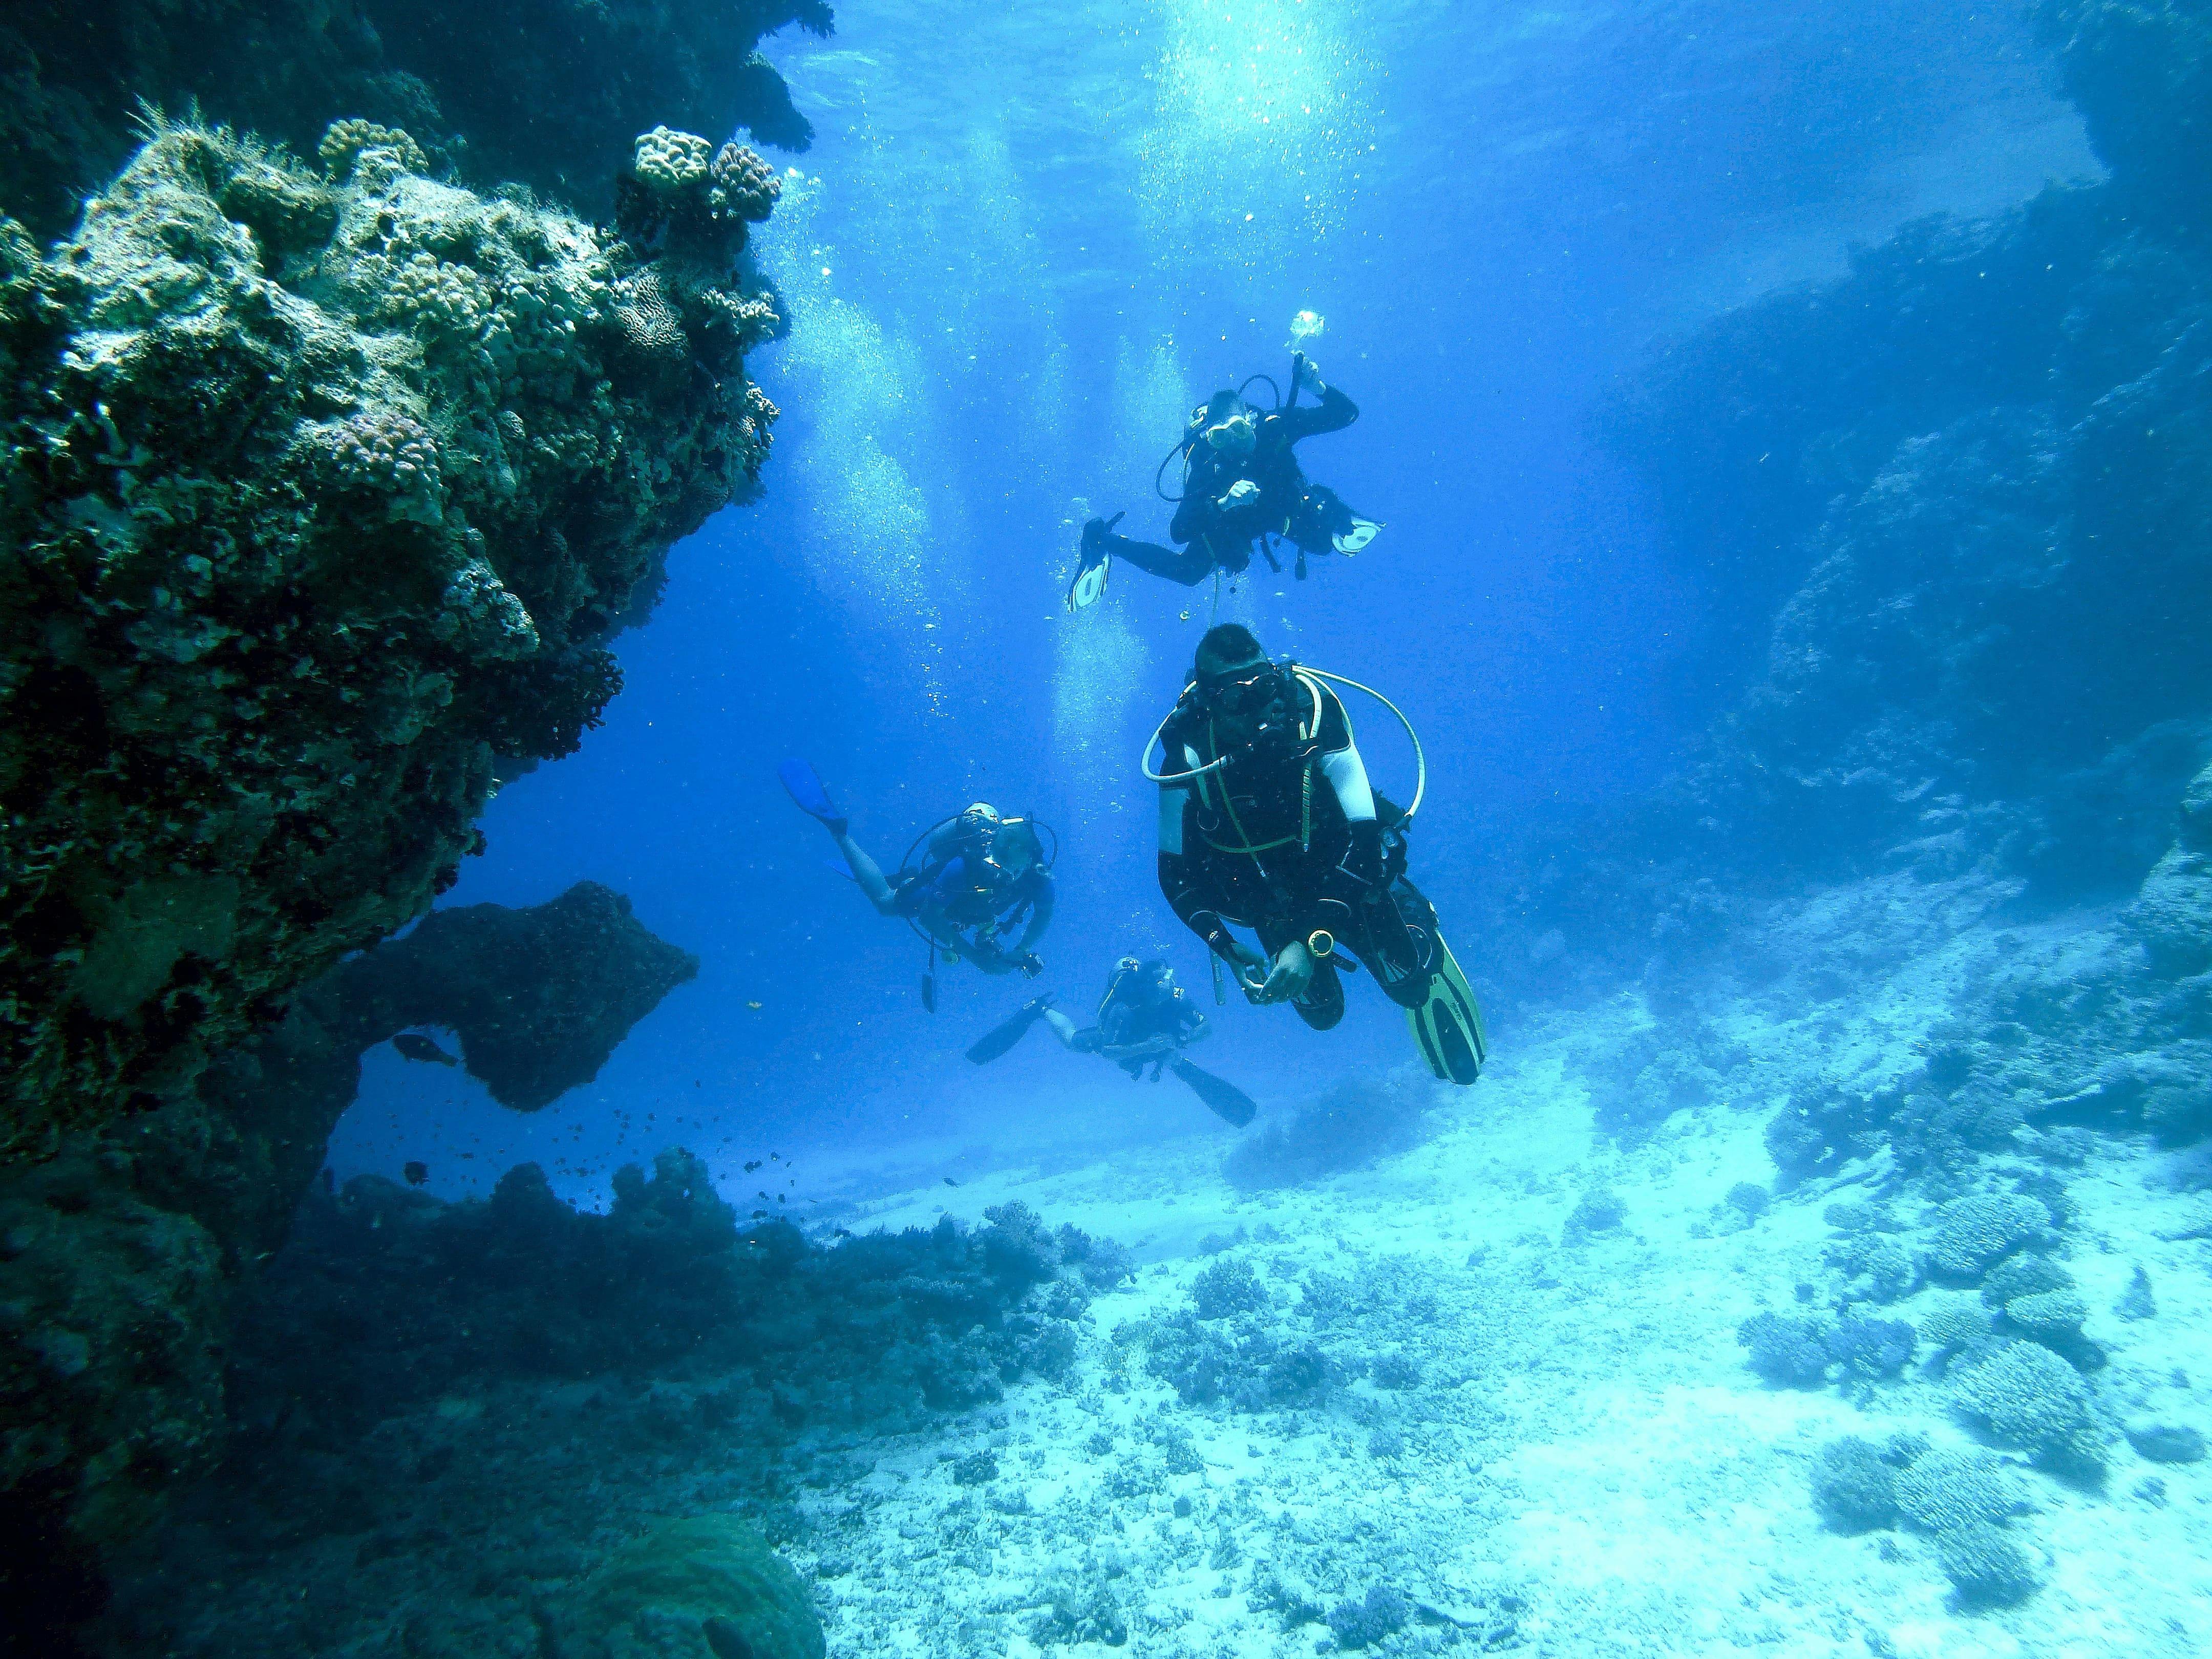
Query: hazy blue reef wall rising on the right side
(1950,517)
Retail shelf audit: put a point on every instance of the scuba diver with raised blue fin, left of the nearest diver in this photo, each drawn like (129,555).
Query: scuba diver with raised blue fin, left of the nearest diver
(963,886)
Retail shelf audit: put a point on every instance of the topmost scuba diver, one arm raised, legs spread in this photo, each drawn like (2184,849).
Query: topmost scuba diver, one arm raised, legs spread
(1242,486)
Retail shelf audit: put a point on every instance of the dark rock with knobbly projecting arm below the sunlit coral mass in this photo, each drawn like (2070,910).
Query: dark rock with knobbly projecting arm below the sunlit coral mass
(121,1258)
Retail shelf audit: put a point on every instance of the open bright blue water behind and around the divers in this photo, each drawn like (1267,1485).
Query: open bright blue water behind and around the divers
(1025,242)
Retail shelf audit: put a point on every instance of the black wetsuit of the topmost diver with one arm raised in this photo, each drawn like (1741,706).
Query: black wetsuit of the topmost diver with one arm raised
(1211,536)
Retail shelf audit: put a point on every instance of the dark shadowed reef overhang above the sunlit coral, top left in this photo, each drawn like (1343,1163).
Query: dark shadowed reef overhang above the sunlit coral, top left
(536,92)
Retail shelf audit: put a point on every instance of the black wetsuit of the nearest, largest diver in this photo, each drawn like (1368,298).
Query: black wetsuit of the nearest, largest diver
(1288,844)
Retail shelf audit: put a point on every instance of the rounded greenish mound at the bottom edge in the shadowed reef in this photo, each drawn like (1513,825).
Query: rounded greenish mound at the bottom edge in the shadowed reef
(705,1587)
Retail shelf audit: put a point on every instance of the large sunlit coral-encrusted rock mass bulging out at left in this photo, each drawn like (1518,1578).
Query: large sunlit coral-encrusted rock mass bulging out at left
(324,492)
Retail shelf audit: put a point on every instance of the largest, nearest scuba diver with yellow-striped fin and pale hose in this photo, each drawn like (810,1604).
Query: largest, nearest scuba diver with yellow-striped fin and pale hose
(1269,822)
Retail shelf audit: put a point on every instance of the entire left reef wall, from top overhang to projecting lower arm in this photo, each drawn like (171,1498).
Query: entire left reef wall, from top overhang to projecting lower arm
(333,459)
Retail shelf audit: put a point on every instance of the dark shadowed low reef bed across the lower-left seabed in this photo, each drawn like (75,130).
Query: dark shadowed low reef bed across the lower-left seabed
(459,1426)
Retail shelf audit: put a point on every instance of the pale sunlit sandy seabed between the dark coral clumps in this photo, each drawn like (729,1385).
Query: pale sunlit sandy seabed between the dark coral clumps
(1578,1459)
